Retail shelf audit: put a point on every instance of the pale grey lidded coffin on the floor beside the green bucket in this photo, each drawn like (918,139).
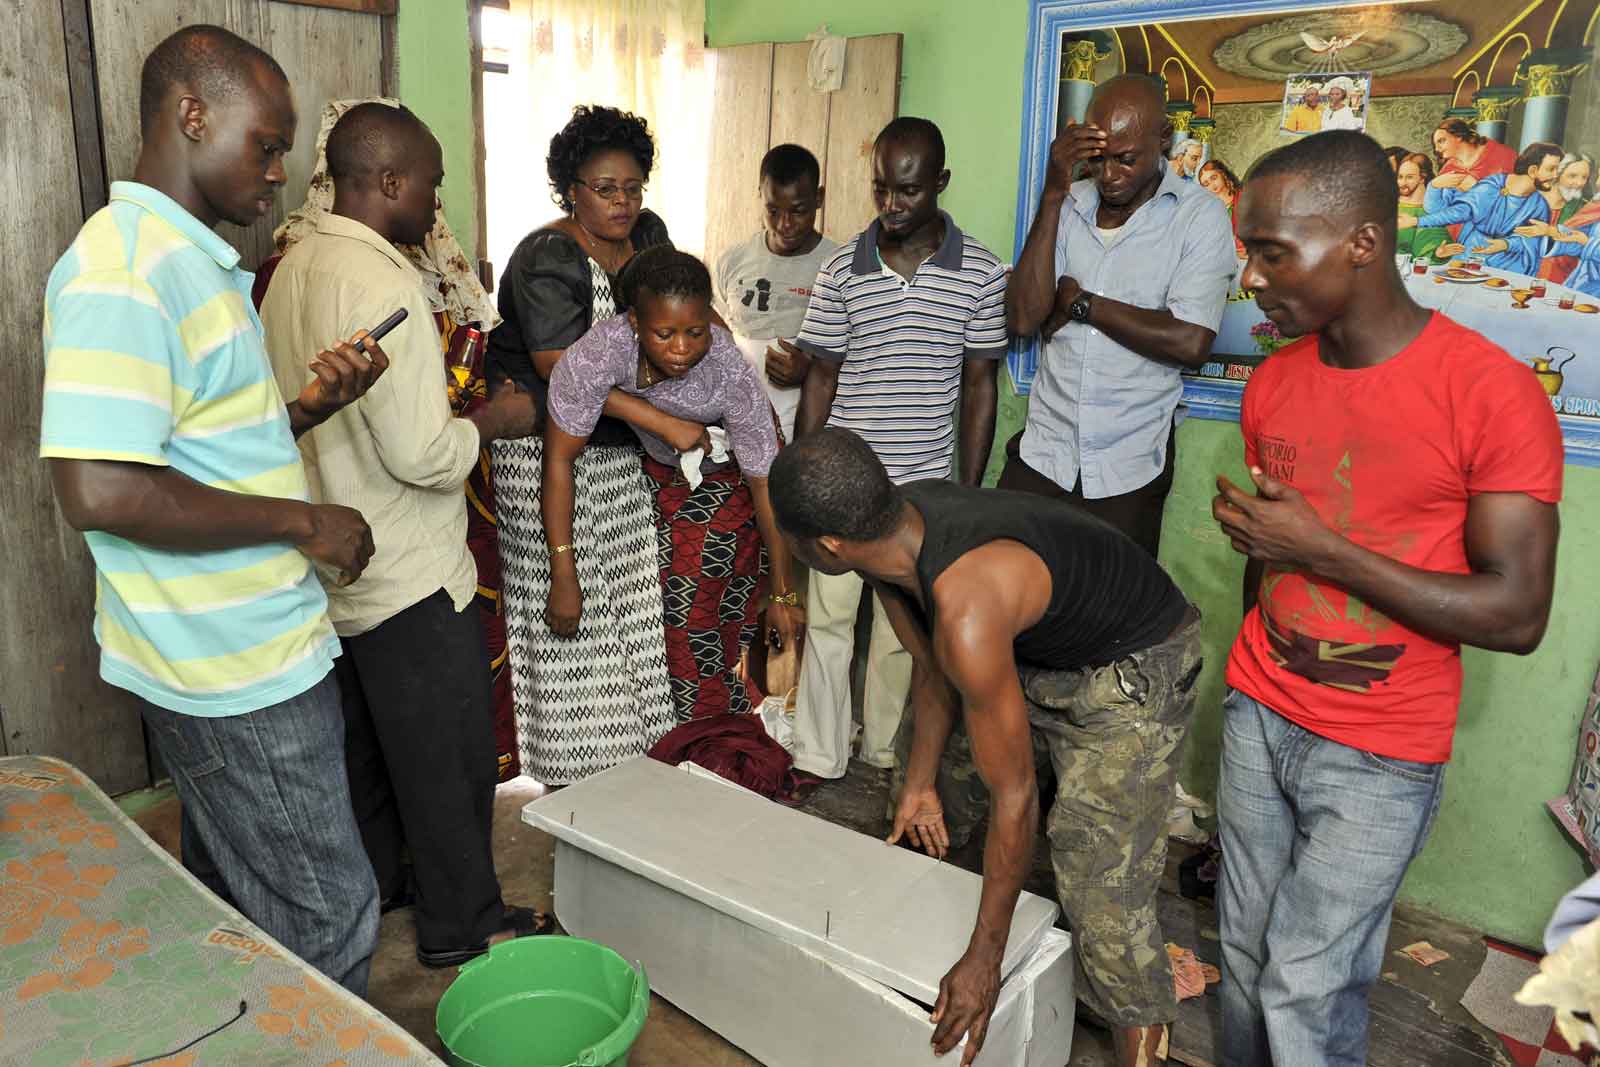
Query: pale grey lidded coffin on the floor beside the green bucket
(799,941)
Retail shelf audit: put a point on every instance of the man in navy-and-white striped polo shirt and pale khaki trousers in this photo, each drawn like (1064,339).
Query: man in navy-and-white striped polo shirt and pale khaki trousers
(906,326)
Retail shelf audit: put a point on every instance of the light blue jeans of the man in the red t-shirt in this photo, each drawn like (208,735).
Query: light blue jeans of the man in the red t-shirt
(1316,841)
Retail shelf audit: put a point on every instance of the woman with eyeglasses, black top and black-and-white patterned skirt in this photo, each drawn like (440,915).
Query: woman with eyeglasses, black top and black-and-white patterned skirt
(601,697)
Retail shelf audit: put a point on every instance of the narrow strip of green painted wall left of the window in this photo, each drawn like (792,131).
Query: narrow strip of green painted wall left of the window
(434,60)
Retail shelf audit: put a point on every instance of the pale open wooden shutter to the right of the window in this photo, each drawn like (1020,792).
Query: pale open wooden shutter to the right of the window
(764,100)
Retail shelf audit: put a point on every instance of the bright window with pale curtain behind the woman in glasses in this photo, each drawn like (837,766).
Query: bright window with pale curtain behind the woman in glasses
(647,57)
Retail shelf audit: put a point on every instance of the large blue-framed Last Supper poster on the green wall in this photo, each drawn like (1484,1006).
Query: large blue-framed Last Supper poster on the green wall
(1490,116)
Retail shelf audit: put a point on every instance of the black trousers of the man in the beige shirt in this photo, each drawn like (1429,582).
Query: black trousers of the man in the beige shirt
(420,753)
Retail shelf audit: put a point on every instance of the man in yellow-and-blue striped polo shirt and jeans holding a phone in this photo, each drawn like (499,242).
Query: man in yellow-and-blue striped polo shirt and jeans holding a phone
(172,450)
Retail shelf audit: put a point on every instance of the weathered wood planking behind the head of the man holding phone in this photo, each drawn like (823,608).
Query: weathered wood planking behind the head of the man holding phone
(302,39)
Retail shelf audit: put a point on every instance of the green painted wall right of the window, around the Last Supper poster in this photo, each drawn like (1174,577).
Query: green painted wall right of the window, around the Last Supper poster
(1497,860)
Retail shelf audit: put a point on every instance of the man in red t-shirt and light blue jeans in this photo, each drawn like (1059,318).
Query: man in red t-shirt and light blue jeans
(1407,474)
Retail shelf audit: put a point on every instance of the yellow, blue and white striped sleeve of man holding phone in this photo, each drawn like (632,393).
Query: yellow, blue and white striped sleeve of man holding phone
(110,380)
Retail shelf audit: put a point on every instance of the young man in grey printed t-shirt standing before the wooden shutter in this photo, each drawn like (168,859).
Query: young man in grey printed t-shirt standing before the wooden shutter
(764,286)
